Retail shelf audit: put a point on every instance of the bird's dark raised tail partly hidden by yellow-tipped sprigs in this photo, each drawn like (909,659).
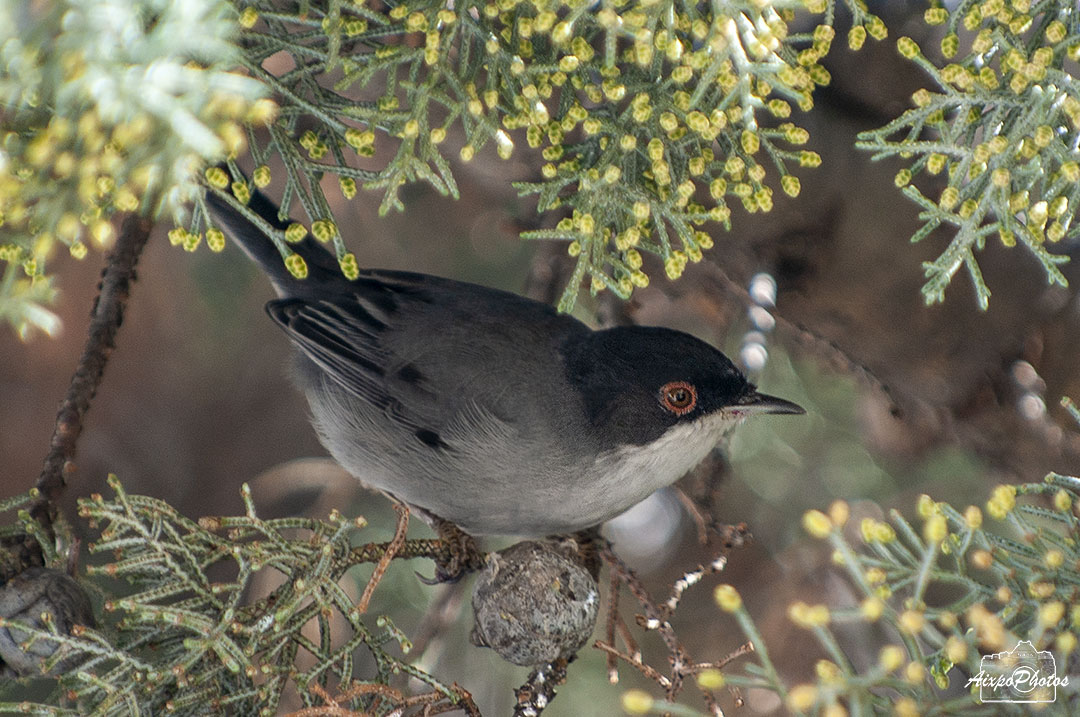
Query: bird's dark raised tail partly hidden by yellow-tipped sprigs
(322,267)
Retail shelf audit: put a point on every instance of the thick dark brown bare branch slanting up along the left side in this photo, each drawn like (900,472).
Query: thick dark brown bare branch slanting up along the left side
(105,320)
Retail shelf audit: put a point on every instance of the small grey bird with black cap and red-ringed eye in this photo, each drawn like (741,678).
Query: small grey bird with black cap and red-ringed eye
(488,410)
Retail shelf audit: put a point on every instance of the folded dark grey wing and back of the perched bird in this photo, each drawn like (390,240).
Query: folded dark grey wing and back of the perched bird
(427,353)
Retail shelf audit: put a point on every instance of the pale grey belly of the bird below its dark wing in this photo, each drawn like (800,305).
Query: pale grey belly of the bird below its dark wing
(491,484)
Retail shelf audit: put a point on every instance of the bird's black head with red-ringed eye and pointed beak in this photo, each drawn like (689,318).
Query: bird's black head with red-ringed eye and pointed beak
(639,382)
